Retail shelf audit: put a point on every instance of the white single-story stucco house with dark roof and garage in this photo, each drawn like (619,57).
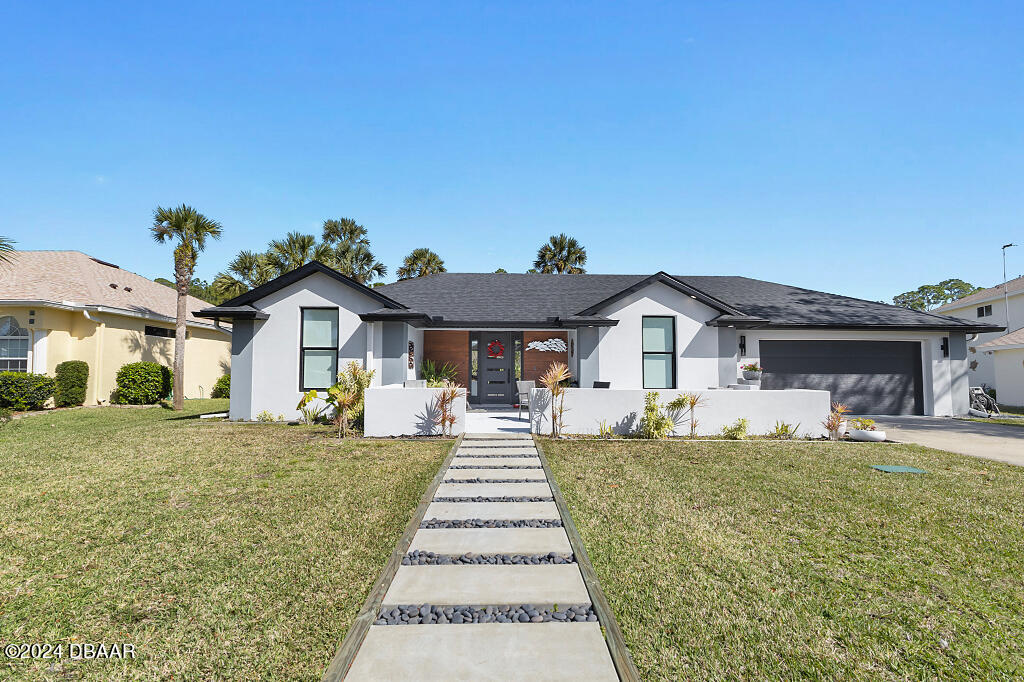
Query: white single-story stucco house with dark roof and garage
(625,332)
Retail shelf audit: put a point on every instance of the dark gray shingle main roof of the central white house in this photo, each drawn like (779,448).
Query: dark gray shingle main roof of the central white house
(463,297)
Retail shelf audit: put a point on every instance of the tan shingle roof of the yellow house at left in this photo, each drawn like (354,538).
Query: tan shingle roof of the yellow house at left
(72,278)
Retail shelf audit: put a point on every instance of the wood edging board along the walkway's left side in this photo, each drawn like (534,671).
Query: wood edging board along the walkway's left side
(346,655)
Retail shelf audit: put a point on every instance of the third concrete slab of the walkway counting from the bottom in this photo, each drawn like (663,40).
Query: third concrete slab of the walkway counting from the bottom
(492,541)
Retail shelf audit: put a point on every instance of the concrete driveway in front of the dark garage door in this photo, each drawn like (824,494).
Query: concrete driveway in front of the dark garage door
(993,442)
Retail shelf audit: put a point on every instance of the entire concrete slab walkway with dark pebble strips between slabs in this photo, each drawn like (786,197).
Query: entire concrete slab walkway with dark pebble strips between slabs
(571,647)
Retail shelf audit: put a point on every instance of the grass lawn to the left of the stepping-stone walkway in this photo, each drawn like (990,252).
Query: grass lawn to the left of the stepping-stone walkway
(222,551)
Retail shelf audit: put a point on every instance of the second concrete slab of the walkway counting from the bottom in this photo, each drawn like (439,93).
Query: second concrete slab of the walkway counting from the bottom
(549,584)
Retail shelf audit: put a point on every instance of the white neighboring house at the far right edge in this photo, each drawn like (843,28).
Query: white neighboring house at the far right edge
(996,359)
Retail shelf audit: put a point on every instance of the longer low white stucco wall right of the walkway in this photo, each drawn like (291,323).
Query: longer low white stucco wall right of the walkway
(586,409)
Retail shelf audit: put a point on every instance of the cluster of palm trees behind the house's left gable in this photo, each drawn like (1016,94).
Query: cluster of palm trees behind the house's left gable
(344,246)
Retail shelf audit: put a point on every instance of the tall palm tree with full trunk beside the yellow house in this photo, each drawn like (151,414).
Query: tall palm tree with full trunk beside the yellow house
(190,230)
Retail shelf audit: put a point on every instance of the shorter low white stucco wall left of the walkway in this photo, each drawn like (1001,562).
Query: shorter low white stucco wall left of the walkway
(395,411)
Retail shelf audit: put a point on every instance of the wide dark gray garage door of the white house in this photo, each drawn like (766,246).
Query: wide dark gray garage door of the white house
(871,377)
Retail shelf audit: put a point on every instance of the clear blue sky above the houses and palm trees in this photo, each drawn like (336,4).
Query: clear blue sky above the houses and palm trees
(860,149)
